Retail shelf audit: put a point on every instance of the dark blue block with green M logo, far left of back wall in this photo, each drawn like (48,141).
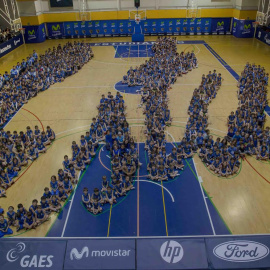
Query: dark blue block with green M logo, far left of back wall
(35,33)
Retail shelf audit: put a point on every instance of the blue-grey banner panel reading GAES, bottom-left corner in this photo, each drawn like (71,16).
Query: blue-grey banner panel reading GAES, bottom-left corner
(32,254)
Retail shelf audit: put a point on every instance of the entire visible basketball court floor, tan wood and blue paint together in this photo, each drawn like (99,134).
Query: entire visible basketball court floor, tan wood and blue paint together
(195,203)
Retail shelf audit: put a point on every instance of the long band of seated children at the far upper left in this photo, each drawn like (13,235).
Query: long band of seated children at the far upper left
(38,73)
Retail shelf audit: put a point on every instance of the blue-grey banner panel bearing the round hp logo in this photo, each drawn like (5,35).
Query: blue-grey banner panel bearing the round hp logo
(171,254)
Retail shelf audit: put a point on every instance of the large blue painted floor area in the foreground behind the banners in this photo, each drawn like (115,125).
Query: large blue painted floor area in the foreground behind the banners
(146,211)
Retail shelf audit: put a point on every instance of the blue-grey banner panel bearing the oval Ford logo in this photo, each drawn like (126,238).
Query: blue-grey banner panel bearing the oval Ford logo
(238,252)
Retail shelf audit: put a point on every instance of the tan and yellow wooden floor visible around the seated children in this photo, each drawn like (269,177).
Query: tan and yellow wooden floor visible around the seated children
(69,107)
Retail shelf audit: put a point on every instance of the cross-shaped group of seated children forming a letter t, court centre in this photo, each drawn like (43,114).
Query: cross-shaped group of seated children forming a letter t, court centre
(156,76)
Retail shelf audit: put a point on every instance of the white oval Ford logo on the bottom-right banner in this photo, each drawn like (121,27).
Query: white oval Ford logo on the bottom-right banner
(241,251)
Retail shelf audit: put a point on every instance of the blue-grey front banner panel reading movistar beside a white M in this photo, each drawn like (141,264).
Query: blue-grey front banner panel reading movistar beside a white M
(100,254)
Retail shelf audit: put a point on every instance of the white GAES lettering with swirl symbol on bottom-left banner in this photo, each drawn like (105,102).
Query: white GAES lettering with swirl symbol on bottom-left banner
(28,261)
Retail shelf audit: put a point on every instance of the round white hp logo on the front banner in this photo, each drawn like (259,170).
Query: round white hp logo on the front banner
(171,251)
